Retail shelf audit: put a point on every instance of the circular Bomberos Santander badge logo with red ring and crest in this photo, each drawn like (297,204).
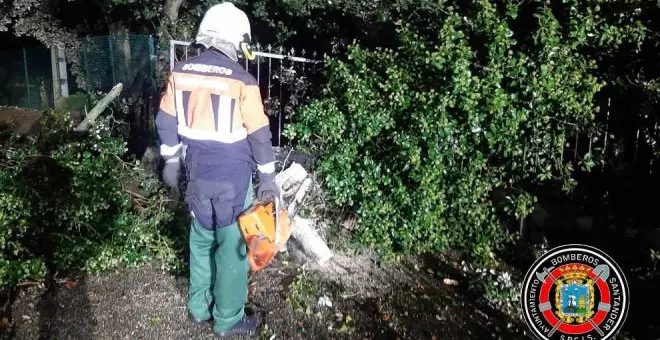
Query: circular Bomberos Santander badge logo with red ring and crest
(575,292)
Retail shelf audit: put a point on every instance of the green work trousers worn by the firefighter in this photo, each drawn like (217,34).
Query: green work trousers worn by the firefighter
(218,273)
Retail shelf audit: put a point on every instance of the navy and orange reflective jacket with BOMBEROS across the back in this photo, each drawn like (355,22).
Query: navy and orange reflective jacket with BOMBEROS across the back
(213,107)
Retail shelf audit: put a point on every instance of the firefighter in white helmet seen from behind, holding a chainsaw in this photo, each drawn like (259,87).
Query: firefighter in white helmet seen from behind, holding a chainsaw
(211,116)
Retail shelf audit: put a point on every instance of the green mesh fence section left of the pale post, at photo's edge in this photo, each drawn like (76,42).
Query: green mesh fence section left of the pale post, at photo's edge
(26,78)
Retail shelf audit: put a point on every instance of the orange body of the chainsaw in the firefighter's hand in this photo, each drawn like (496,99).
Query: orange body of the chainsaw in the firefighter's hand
(258,228)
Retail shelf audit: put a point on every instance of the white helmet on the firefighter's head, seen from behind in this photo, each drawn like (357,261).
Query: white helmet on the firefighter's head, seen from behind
(226,28)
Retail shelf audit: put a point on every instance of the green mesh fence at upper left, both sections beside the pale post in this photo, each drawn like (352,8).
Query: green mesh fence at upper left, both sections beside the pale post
(34,77)
